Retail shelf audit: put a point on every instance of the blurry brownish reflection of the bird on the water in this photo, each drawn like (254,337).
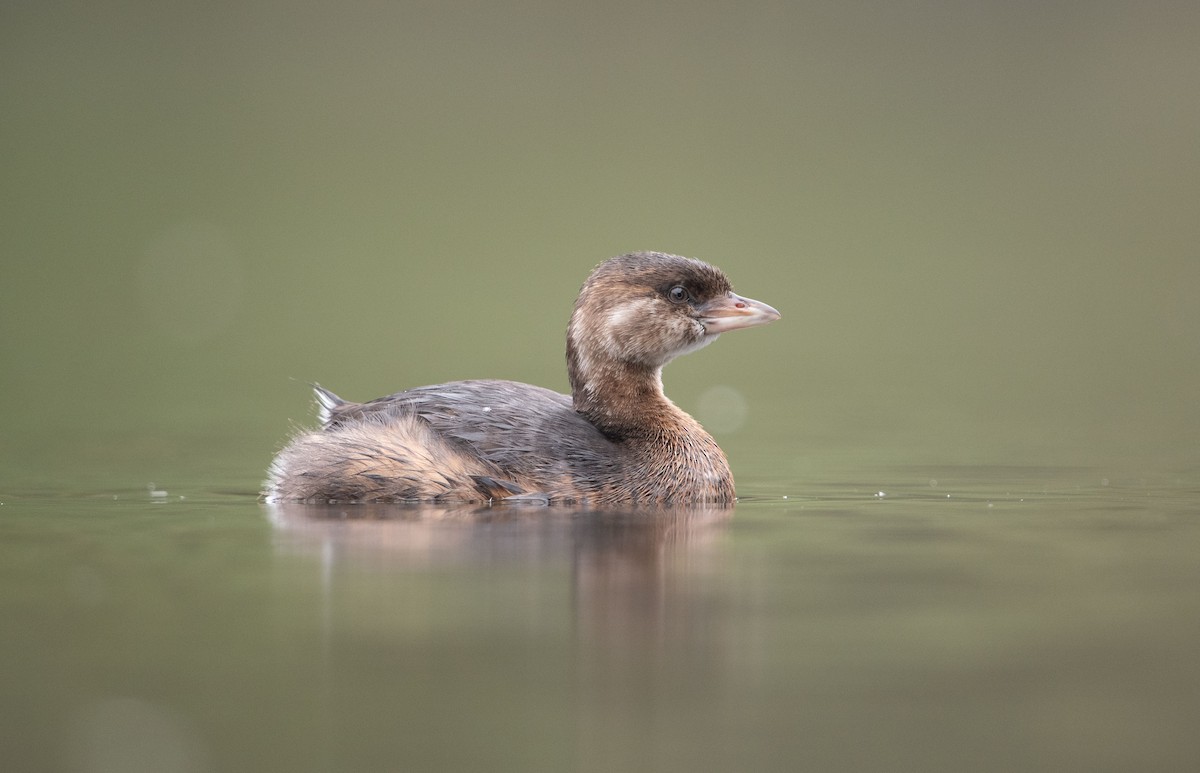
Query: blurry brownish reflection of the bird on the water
(640,602)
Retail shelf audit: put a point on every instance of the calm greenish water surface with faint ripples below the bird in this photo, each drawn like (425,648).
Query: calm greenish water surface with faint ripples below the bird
(992,619)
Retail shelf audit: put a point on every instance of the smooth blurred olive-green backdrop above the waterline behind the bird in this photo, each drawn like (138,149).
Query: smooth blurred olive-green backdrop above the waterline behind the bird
(980,220)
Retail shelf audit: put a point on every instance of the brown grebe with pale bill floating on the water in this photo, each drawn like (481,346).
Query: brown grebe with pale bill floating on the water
(615,440)
